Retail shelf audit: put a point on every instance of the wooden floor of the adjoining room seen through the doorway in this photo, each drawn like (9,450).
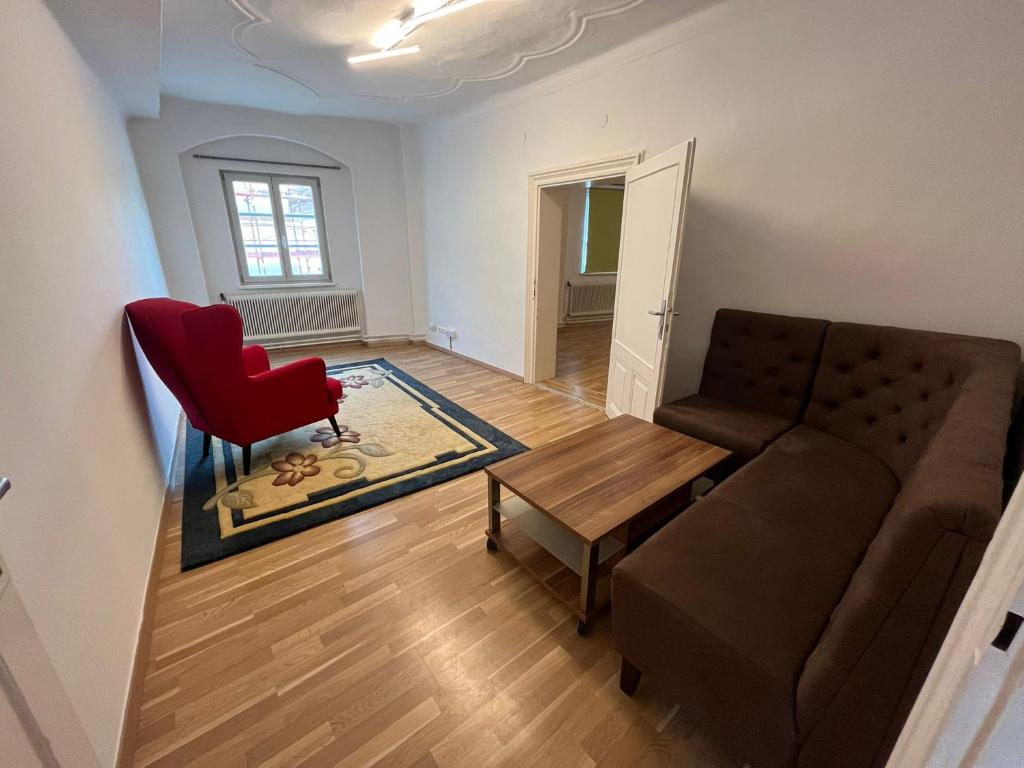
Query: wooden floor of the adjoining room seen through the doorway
(582,362)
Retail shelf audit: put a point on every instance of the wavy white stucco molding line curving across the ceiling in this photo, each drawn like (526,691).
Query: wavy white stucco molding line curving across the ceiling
(578,27)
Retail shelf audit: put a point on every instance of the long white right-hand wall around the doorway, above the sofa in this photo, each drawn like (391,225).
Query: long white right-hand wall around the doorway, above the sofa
(857,160)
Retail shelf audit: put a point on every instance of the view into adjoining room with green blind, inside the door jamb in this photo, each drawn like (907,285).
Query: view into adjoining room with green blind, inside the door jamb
(592,226)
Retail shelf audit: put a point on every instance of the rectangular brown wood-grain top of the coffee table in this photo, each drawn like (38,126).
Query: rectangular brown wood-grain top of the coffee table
(602,478)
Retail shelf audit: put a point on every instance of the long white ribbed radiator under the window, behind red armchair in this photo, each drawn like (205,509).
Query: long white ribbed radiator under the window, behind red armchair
(298,317)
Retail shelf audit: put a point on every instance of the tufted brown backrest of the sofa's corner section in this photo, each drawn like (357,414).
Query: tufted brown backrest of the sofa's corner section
(889,391)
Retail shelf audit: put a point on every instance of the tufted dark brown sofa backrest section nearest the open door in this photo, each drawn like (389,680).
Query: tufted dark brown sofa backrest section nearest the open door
(762,362)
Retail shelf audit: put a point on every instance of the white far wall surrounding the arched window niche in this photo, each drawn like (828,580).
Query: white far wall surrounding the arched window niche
(371,150)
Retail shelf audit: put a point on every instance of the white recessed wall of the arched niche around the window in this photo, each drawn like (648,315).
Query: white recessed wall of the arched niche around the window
(208,208)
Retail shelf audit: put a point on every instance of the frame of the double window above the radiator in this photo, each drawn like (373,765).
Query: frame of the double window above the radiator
(275,182)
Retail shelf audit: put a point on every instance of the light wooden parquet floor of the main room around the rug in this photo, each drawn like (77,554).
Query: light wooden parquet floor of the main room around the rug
(393,637)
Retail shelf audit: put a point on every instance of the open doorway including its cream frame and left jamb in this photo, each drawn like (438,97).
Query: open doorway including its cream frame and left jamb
(576,223)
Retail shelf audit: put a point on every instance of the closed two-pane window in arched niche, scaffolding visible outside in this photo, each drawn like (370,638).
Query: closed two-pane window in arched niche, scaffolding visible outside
(278,227)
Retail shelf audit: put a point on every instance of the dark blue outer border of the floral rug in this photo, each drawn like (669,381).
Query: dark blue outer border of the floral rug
(201,542)
